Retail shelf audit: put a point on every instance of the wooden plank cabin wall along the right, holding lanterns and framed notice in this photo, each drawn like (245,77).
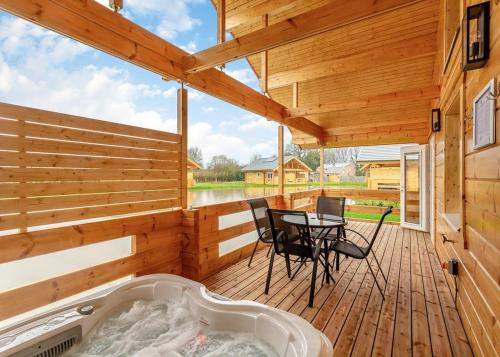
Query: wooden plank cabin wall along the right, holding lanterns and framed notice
(477,244)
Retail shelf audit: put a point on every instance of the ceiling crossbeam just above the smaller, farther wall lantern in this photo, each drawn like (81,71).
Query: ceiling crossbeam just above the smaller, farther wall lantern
(399,97)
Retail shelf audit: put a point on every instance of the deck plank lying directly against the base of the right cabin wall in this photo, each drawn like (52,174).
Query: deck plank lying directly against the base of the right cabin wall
(458,340)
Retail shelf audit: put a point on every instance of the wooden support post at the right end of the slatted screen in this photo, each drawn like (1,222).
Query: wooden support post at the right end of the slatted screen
(182,119)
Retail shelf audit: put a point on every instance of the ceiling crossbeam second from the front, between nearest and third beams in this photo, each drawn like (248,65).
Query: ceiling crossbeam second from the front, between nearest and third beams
(417,47)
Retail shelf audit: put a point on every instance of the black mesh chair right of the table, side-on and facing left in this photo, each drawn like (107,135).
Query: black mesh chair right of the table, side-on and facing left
(344,246)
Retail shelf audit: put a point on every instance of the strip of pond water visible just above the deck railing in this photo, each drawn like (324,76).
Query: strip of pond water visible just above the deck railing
(207,197)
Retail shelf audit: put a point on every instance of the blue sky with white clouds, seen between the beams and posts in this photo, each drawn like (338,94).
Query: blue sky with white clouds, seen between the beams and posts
(41,69)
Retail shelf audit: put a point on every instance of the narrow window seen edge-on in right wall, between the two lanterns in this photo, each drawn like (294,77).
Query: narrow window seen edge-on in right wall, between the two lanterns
(453,165)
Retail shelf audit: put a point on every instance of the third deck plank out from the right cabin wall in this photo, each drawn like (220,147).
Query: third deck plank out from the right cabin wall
(420,325)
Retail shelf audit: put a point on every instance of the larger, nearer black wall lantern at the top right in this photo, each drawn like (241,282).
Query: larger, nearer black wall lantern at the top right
(476,36)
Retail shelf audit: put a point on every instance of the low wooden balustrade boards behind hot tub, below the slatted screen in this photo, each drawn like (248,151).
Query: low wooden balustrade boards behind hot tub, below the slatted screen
(156,249)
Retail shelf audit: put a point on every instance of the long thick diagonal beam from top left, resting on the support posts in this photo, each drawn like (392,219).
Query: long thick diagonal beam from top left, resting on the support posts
(93,24)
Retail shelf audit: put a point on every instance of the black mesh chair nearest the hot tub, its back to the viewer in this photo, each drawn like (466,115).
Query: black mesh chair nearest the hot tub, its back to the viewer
(289,241)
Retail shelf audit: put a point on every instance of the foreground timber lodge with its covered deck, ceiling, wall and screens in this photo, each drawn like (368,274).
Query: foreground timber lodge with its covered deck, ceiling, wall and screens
(337,74)
